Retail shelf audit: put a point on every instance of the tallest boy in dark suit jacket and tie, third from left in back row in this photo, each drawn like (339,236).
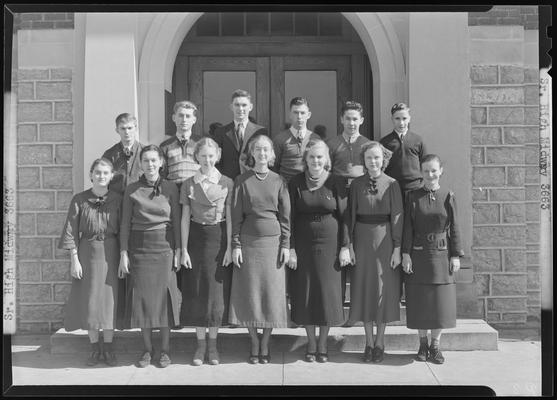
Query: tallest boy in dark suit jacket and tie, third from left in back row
(234,137)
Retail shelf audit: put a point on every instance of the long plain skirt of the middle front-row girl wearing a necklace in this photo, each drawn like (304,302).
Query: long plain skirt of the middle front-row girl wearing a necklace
(258,291)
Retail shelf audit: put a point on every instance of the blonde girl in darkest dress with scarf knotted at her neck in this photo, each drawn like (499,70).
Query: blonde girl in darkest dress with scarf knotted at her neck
(318,248)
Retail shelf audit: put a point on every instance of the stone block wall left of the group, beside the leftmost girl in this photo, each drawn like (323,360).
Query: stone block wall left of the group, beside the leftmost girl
(44,182)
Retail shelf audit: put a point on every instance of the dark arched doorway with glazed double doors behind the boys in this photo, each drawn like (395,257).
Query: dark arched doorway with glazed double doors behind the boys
(275,56)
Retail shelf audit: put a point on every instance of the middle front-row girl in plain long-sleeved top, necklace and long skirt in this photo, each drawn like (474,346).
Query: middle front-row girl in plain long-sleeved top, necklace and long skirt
(260,249)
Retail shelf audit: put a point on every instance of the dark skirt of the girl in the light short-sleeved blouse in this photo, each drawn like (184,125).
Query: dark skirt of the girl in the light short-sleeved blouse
(206,287)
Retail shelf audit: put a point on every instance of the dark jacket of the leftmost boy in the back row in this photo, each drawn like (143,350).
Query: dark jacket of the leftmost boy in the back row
(126,170)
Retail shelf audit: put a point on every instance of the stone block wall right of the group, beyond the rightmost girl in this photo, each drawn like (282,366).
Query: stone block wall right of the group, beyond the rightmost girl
(505,142)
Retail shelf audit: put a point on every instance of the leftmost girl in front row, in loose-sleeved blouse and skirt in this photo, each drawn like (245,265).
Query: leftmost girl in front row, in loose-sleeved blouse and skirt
(90,234)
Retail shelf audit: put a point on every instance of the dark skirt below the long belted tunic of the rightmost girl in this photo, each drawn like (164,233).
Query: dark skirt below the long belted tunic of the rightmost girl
(430,306)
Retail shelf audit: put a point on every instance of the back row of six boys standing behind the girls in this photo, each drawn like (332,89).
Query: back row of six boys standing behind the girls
(407,147)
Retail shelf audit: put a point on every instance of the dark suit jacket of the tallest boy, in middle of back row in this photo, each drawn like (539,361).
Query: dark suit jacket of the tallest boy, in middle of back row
(230,163)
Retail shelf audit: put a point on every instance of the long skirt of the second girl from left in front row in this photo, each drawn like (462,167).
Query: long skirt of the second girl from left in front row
(153,298)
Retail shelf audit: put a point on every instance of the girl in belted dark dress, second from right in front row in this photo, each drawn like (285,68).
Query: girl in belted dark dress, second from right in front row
(375,205)
